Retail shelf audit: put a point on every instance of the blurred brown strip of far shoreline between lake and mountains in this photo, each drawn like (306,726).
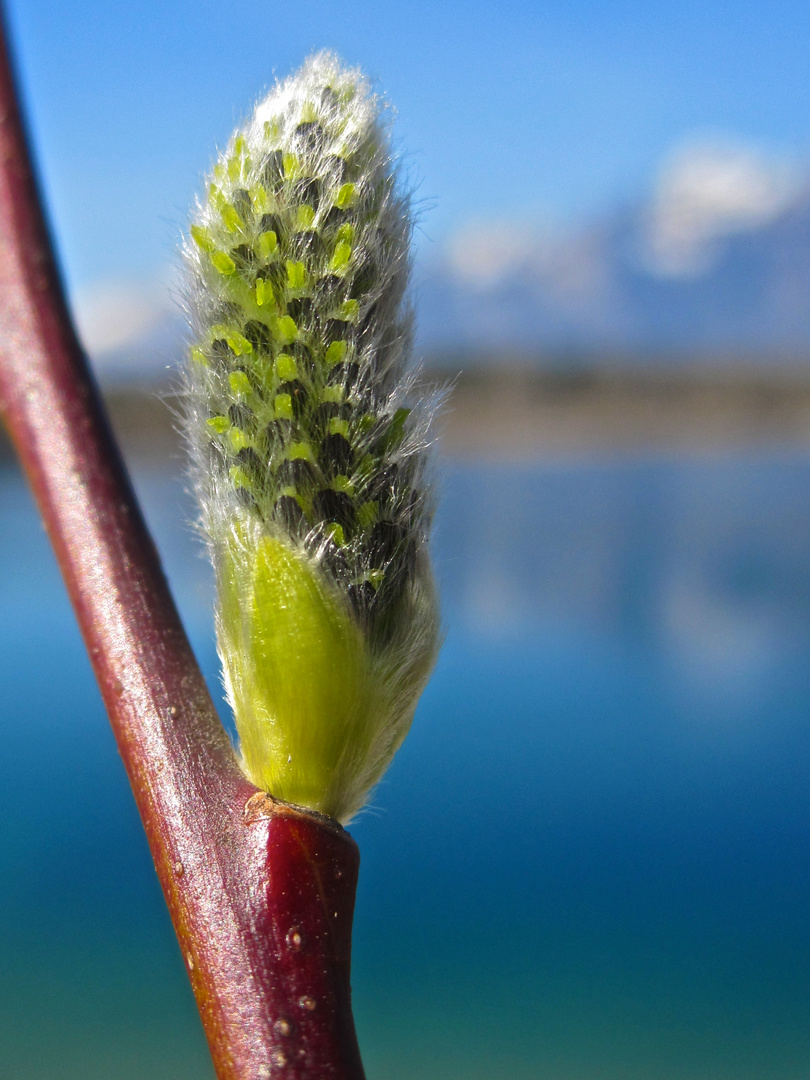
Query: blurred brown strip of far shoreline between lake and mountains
(521,414)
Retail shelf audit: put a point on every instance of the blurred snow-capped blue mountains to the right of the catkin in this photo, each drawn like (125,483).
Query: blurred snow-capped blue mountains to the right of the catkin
(715,265)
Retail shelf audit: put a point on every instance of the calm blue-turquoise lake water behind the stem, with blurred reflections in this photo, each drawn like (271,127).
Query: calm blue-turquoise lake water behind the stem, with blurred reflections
(591,859)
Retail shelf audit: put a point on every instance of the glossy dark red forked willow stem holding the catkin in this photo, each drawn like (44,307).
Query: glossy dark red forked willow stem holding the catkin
(261,895)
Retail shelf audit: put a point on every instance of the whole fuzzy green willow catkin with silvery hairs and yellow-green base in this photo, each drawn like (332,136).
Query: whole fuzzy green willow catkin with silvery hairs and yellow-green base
(309,441)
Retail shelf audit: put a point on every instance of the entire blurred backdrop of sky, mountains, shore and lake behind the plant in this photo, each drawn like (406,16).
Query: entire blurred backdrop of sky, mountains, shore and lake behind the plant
(591,859)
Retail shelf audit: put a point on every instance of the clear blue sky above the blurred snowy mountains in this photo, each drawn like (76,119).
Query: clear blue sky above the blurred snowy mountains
(536,112)
